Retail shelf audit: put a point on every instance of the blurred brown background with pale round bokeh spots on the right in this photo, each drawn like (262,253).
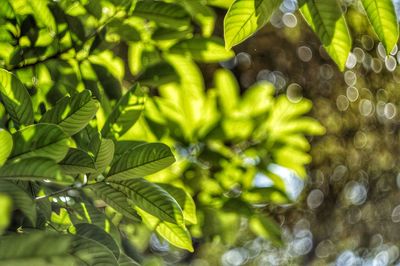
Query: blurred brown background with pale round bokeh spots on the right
(348,212)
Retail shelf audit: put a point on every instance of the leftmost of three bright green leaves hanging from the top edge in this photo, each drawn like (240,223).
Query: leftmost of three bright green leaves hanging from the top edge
(245,17)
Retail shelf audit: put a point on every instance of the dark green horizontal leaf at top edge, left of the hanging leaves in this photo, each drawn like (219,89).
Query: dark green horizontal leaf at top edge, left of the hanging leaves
(164,14)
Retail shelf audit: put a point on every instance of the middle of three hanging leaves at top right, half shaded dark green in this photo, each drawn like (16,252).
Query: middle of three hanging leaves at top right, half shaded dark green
(328,22)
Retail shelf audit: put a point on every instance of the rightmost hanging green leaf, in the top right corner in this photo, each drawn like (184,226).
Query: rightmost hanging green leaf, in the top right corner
(382,16)
